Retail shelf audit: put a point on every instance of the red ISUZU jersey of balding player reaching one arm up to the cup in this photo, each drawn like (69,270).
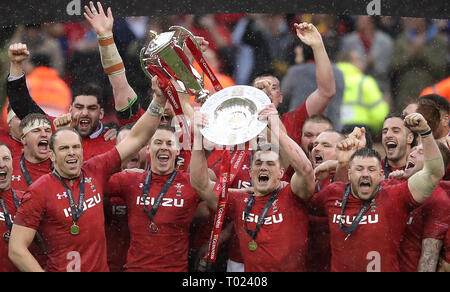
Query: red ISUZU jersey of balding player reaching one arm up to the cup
(46,206)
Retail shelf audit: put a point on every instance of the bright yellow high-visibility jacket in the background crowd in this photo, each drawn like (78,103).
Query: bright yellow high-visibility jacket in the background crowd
(362,102)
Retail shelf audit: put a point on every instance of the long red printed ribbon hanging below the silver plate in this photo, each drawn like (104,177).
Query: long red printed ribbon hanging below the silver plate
(228,171)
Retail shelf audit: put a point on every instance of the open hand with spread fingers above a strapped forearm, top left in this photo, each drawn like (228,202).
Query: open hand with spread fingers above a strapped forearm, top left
(101,23)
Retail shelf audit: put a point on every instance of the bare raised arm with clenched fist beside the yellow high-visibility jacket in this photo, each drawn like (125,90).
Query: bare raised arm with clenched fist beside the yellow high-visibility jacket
(318,101)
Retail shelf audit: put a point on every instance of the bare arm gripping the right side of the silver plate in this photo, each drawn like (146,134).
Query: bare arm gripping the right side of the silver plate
(303,181)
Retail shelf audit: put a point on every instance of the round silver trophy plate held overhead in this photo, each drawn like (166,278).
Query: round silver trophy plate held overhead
(233,115)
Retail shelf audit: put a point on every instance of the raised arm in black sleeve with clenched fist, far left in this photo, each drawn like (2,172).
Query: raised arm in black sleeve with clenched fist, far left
(16,87)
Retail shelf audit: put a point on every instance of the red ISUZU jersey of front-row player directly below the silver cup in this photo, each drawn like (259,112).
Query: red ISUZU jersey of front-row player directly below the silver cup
(166,250)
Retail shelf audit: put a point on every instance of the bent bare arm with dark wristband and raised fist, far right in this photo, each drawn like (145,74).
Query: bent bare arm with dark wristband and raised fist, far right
(423,183)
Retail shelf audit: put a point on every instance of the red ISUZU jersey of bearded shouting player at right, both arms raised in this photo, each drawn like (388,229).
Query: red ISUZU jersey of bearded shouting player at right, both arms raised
(373,246)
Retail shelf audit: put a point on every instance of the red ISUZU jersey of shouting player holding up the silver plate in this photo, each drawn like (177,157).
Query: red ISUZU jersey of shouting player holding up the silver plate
(282,238)
